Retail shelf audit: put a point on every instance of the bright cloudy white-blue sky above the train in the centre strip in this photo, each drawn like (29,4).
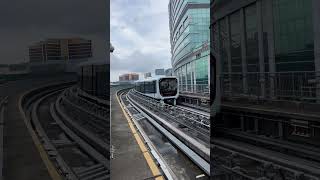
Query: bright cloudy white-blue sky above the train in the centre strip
(140,35)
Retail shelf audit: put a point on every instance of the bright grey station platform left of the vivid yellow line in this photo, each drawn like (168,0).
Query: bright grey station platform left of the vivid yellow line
(128,161)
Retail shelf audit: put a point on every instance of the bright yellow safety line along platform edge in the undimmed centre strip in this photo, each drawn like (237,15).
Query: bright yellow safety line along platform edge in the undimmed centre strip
(152,165)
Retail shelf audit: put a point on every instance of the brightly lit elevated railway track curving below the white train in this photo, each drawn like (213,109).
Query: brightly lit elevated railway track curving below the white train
(179,130)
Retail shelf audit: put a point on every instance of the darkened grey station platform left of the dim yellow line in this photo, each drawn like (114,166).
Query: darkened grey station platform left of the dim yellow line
(21,156)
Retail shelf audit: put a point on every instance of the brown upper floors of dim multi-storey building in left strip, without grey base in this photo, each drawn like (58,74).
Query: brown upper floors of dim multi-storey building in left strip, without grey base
(60,49)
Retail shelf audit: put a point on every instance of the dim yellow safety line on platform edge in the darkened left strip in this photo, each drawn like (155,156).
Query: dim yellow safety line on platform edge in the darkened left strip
(44,156)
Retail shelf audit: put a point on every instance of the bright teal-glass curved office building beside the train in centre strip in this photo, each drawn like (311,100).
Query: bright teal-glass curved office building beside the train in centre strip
(189,22)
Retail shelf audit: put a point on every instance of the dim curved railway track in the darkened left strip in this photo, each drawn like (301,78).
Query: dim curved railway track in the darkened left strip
(74,151)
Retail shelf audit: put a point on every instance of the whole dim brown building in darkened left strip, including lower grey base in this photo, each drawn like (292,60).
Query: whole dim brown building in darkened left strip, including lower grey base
(58,55)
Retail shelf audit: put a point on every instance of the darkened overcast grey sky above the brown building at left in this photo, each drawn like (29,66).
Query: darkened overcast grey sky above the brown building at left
(28,21)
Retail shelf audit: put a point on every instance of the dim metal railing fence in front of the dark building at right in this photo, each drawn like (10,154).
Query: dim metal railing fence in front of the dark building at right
(301,86)
